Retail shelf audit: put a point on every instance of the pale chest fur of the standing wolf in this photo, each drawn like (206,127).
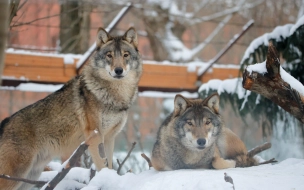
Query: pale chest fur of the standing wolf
(111,99)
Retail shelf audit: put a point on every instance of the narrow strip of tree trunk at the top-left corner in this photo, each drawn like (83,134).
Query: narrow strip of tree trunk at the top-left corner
(4,21)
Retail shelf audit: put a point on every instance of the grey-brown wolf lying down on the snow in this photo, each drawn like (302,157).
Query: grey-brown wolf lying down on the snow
(194,136)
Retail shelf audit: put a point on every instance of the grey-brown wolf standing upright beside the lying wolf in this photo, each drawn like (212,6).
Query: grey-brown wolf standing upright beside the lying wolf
(99,98)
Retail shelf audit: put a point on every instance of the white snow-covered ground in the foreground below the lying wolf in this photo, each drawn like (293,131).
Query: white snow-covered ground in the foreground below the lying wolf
(286,175)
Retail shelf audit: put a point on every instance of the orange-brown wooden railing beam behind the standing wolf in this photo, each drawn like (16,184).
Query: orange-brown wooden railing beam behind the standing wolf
(52,69)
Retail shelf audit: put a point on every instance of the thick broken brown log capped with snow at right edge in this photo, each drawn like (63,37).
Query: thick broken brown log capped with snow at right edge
(274,83)
